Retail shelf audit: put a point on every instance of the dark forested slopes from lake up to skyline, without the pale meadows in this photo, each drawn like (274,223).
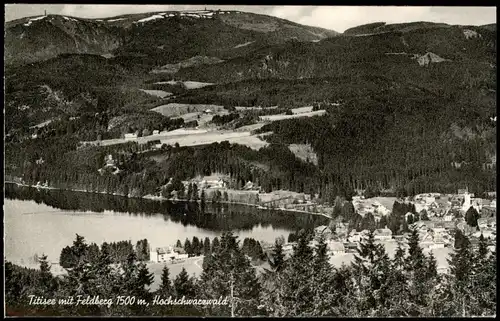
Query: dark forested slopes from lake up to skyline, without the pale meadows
(397,119)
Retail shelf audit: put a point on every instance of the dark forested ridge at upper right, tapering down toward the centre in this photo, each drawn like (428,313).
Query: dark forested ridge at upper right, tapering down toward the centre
(350,54)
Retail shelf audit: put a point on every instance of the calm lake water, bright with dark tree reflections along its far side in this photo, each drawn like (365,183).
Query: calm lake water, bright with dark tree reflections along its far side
(45,221)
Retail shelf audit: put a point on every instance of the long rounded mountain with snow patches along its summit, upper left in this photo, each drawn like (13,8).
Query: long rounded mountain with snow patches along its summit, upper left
(156,38)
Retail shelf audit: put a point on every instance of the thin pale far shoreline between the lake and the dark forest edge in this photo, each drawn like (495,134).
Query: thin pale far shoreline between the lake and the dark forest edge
(163,199)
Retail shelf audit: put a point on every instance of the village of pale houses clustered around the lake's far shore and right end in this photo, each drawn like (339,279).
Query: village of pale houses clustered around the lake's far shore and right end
(440,215)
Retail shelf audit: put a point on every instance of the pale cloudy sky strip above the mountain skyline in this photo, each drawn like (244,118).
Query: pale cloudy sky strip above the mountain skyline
(338,18)
